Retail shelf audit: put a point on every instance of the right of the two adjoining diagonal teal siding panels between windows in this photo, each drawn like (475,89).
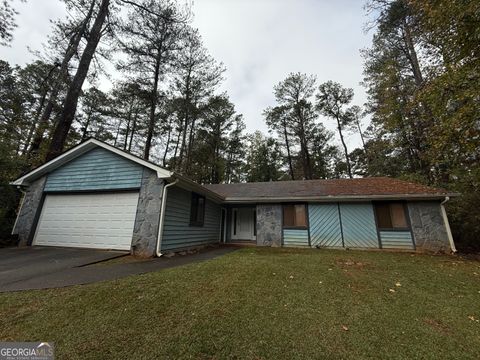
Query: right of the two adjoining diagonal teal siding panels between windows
(359,227)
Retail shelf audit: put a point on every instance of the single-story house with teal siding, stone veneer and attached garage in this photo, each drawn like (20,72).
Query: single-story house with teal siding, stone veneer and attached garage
(97,196)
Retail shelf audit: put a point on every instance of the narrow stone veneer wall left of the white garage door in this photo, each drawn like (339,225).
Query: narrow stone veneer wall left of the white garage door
(29,213)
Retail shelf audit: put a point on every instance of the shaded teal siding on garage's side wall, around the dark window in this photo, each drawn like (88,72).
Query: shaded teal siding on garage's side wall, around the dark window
(177,231)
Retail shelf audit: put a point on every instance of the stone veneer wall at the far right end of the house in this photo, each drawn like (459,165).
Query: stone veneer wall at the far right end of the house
(428,226)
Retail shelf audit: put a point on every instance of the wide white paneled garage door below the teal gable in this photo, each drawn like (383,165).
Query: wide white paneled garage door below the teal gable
(102,221)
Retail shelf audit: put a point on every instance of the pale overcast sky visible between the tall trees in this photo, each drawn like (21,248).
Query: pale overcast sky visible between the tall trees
(259,41)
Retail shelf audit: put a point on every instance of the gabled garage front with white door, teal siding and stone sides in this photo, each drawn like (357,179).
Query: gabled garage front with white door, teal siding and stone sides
(93,196)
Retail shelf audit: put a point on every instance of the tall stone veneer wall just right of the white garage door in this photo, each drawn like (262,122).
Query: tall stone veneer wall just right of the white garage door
(145,231)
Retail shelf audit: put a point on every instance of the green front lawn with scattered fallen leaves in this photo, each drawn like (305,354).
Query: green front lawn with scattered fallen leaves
(264,304)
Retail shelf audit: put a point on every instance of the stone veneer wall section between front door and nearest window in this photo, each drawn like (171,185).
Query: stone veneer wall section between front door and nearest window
(269,225)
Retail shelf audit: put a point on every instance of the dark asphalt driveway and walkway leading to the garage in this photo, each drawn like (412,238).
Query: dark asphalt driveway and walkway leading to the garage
(31,268)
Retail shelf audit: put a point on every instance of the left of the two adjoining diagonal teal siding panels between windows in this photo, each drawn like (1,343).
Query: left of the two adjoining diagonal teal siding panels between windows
(325,228)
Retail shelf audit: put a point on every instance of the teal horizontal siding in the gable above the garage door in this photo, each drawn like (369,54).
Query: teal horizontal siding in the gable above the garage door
(98,169)
